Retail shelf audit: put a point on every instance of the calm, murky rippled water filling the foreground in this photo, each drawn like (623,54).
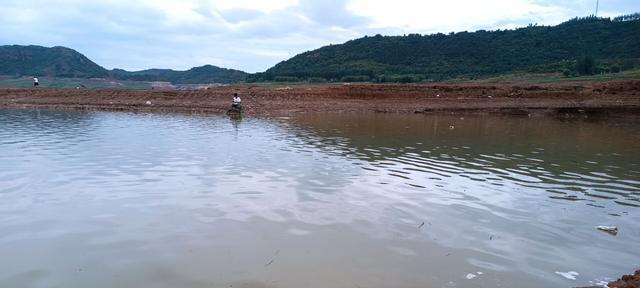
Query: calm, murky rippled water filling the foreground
(144,200)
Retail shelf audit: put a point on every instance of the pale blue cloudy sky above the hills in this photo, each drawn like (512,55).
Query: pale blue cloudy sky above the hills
(254,35)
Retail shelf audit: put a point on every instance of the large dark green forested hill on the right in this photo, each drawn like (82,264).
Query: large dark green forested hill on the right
(477,54)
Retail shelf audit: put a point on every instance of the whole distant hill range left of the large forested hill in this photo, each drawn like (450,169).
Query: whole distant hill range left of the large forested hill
(63,62)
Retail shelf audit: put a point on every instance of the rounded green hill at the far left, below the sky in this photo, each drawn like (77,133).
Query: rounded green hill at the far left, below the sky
(41,61)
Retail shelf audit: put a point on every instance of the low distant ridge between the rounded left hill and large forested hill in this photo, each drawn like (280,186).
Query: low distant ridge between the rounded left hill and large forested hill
(197,75)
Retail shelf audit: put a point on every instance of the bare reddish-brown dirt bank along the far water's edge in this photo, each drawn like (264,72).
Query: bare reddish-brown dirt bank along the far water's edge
(610,97)
